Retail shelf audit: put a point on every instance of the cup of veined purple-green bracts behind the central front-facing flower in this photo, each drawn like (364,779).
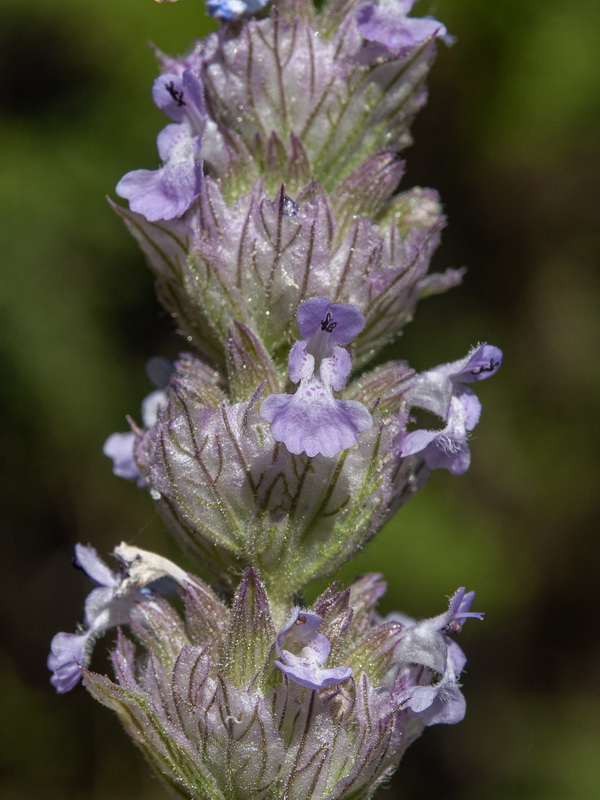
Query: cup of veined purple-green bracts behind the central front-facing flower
(236,498)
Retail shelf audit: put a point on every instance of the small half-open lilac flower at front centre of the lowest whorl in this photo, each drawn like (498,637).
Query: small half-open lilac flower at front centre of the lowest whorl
(303,652)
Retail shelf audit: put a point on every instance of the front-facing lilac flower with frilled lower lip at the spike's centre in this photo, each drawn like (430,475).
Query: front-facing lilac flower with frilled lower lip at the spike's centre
(312,421)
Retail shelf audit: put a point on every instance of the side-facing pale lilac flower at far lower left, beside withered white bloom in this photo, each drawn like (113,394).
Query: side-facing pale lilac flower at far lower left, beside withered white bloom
(105,607)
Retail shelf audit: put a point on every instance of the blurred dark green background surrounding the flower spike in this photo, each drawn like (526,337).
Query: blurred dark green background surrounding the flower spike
(511,139)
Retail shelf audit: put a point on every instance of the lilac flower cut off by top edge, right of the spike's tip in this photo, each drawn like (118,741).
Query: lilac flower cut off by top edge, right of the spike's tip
(388,23)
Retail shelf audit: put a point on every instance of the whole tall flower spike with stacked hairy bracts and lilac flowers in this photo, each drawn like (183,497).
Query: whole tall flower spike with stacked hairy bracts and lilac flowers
(277,202)
